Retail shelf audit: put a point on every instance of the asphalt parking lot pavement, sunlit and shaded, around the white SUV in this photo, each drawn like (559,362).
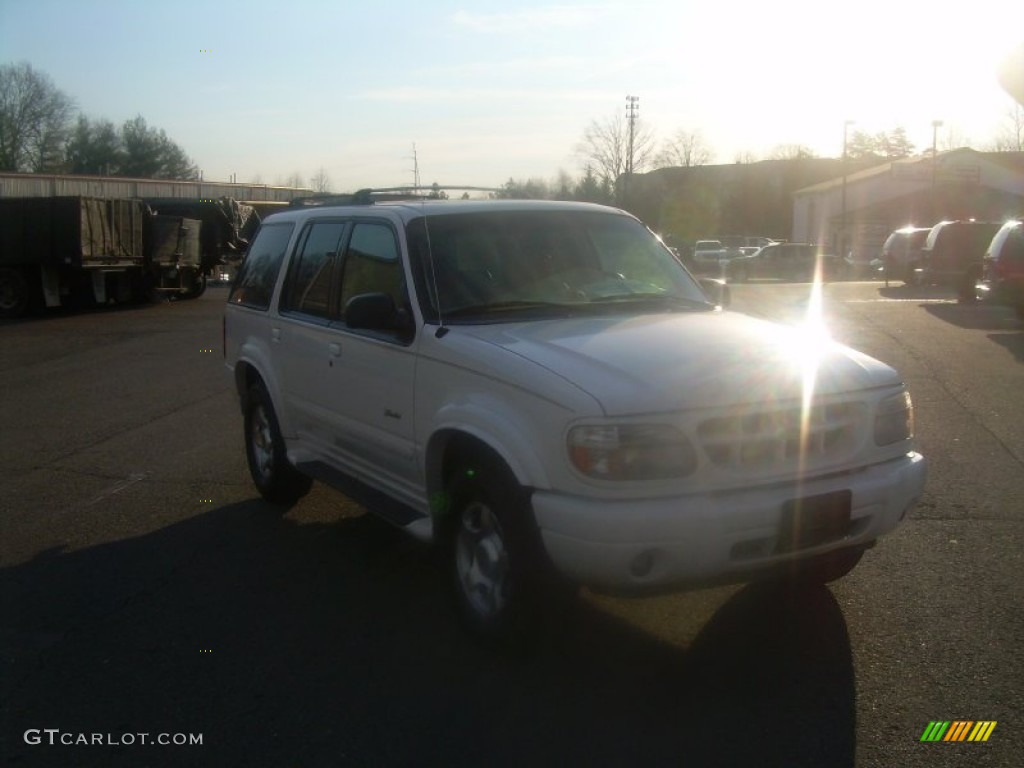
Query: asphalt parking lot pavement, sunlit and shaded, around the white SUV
(149,595)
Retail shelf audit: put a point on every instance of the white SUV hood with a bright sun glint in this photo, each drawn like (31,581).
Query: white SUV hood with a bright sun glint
(664,363)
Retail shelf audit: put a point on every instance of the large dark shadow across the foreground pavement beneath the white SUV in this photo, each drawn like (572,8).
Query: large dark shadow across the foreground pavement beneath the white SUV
(334,644)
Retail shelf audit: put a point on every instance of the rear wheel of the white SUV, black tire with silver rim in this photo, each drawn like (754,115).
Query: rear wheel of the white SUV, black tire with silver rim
(277,481)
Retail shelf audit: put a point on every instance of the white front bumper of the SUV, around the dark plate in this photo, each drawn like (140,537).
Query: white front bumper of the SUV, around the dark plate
(655,543)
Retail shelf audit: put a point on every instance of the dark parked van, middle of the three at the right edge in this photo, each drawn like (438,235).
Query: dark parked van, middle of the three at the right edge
(954,253)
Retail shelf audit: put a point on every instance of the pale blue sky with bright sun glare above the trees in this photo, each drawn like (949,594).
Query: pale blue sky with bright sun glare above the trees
(493,91)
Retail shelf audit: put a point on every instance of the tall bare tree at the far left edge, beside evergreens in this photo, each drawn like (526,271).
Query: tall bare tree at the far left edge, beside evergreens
(34,120)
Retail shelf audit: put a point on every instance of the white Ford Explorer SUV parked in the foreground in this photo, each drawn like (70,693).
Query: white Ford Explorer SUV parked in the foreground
(542,388)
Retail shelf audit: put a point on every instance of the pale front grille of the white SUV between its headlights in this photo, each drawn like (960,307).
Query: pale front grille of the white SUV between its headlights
(783,439)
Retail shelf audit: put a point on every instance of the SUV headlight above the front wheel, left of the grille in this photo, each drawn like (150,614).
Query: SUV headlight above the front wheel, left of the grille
(633,452)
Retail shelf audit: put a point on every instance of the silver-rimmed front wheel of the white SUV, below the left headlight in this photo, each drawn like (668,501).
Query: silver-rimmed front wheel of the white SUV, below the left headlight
(493,550)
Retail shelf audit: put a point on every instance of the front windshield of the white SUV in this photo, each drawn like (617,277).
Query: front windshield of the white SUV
(497,265)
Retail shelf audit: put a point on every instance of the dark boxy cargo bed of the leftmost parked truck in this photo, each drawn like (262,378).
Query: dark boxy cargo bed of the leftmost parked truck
(72,231)
